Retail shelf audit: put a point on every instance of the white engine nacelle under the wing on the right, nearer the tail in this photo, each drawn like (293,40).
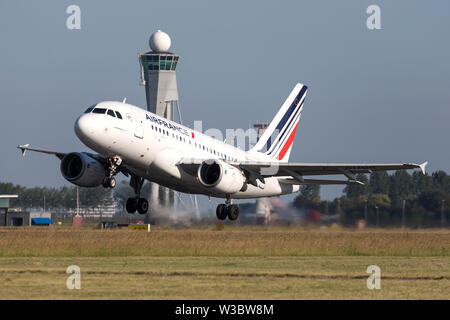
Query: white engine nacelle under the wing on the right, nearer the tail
(221,176)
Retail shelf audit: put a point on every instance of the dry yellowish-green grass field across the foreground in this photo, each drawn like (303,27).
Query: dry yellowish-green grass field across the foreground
(234,263)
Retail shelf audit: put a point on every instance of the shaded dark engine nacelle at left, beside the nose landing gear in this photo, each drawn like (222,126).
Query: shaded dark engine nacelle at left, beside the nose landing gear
(82,170)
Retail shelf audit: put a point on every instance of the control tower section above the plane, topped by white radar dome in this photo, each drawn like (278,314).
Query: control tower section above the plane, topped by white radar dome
(159,77)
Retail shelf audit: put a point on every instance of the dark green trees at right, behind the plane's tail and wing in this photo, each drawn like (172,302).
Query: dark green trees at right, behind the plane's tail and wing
(413,200)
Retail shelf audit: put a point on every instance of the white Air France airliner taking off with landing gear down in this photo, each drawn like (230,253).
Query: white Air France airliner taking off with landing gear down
(143,146)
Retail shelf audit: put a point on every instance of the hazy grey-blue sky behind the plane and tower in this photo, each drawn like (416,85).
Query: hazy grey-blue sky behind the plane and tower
(374,95)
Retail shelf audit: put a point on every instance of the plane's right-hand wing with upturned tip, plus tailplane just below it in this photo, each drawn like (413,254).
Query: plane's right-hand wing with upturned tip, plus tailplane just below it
(293,173)
